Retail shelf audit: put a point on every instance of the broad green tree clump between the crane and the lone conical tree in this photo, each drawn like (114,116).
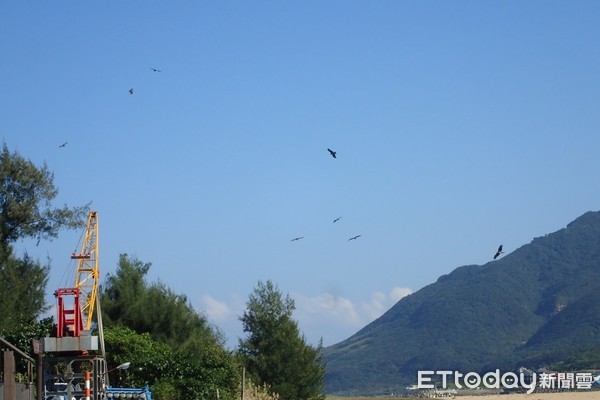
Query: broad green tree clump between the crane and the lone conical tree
(171,347)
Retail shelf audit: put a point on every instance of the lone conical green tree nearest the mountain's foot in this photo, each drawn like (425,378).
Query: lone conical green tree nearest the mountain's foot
(275,353)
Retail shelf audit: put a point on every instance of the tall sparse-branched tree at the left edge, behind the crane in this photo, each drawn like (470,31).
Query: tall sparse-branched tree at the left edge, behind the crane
(26,212)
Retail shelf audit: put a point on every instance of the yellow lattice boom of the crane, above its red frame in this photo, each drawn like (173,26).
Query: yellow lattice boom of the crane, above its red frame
(88,272)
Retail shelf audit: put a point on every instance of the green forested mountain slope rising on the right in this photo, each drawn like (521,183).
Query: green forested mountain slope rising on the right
(537,306)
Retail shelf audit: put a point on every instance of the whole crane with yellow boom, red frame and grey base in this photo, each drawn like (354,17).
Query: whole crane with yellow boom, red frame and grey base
(74,360)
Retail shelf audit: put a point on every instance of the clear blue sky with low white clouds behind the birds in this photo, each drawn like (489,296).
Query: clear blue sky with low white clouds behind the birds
(458,126)
